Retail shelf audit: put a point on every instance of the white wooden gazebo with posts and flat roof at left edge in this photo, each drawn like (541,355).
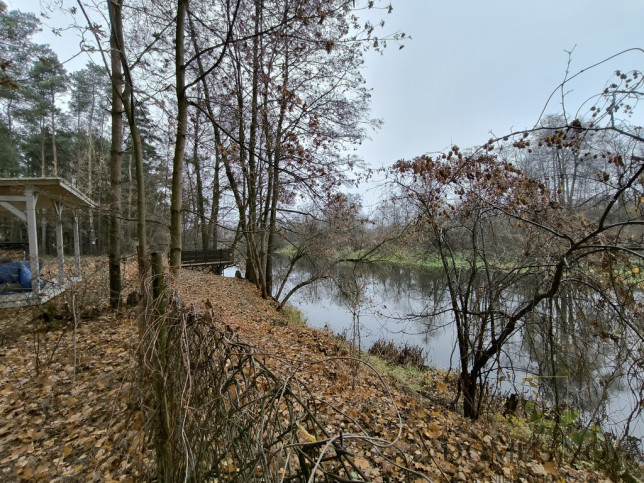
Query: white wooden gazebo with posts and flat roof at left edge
(22,197)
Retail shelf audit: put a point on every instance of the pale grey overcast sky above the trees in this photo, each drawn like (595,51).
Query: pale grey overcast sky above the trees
(477,66)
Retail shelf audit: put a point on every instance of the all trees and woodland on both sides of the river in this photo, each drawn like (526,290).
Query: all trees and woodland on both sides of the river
(209,124)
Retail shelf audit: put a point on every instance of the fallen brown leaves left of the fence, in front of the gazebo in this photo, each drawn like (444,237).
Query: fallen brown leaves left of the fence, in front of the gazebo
(66,418)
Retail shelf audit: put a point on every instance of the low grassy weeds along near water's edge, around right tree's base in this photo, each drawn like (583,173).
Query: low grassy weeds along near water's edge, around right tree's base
(531,423)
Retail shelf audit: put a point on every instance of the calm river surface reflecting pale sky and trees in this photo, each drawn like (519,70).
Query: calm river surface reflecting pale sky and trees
(566,343)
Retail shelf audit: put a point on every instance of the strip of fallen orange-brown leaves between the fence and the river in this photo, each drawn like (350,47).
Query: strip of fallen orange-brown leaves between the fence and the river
(412,431)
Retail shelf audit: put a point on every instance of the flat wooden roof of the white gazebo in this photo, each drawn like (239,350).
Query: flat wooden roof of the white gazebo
(49,190)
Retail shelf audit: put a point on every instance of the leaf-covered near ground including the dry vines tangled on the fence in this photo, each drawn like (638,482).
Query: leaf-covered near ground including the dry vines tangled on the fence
(85,412)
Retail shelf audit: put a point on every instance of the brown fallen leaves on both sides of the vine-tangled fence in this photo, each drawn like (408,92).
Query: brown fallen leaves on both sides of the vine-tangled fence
(73,419)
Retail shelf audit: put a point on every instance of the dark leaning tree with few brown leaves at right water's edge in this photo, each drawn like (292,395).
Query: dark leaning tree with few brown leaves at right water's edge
(495,228)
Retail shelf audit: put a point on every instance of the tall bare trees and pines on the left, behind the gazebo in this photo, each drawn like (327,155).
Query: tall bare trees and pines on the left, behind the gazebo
(245,110)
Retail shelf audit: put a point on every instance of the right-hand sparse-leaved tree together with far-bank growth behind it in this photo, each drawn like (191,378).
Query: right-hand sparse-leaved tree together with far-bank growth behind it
(538,233)
